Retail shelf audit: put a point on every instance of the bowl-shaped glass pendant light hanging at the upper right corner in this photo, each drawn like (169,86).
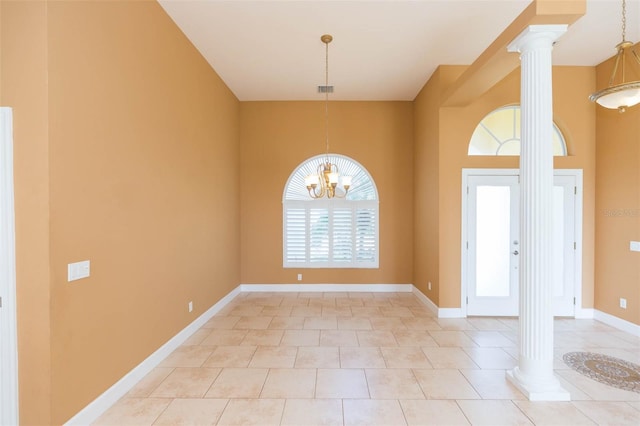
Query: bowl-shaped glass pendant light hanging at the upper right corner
(624,95)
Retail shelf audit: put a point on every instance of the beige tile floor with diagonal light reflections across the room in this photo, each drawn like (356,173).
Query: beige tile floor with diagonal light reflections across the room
(366,359)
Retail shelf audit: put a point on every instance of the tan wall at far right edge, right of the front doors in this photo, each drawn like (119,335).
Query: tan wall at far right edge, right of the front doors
(617,270)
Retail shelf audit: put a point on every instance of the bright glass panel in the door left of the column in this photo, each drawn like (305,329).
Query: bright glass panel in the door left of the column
(493,256)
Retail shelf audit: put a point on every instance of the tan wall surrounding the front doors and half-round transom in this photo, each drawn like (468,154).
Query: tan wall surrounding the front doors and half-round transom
(574,114)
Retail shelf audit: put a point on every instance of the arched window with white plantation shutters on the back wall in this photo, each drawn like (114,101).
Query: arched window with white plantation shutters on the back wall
(330,233)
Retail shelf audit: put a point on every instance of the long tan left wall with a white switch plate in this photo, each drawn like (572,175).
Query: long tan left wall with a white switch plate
(143,172)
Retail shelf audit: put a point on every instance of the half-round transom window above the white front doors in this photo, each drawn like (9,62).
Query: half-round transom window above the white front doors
(499,134)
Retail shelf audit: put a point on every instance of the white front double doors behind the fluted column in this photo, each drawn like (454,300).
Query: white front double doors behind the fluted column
(491,249)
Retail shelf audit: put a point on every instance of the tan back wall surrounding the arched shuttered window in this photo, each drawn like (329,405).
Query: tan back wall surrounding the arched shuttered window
(278,136)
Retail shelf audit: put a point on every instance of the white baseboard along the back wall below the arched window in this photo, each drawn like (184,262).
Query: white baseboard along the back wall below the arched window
(373,288)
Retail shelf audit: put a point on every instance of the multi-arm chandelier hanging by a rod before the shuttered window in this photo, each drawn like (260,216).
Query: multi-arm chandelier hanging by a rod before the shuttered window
(325,181)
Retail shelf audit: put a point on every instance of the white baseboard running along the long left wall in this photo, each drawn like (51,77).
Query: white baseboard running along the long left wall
(99,405)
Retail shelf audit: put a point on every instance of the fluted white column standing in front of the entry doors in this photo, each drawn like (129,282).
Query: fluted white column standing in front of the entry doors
(534,373)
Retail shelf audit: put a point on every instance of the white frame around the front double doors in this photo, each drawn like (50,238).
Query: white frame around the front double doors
(464,275)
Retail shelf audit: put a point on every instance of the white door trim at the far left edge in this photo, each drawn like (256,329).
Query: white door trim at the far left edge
(8,328)
